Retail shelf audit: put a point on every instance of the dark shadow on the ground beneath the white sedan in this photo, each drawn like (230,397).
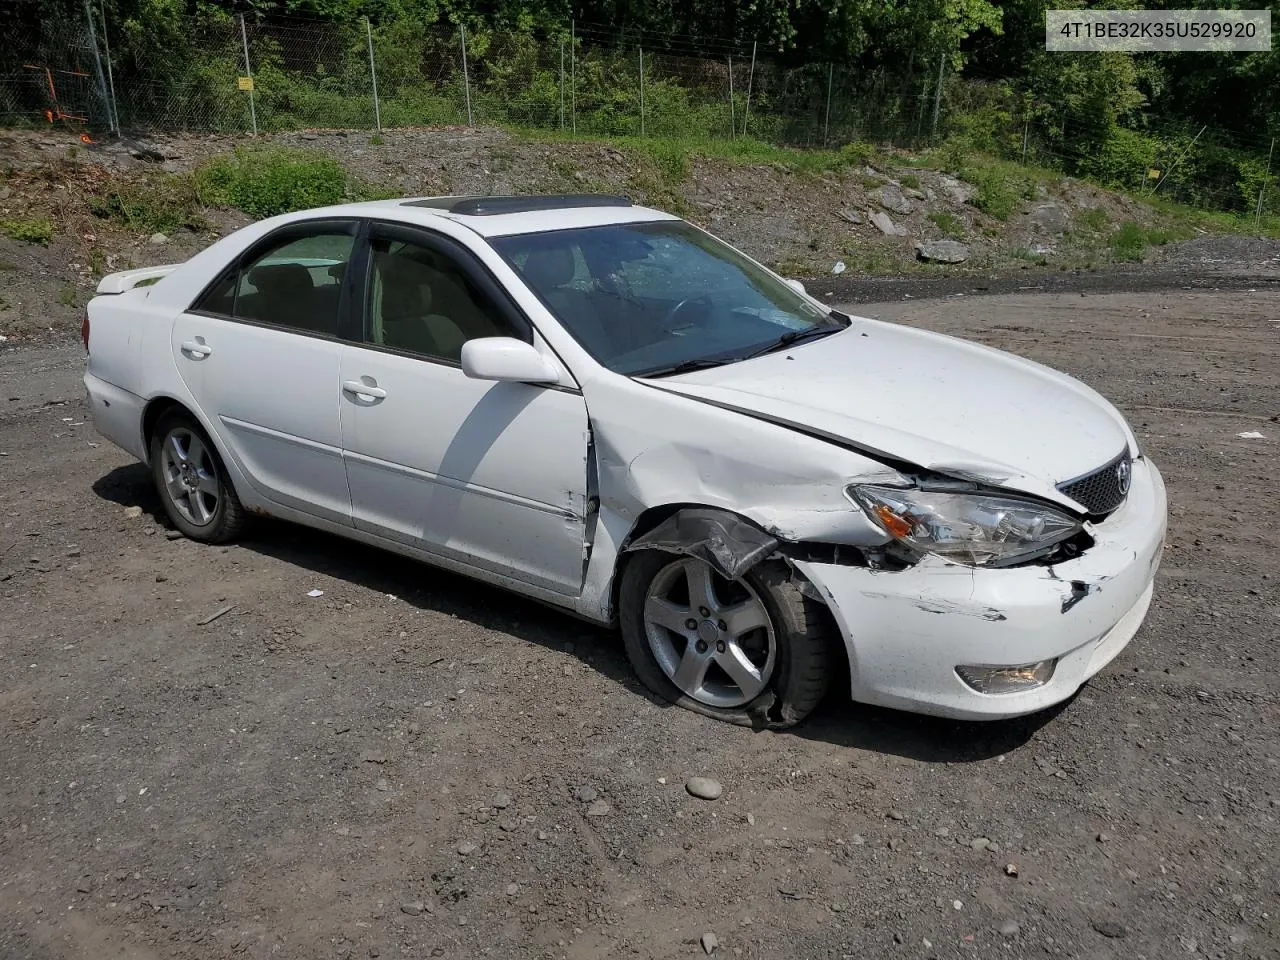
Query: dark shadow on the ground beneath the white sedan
(839,721)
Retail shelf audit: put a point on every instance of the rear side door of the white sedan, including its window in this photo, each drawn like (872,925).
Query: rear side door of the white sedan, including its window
(260,351)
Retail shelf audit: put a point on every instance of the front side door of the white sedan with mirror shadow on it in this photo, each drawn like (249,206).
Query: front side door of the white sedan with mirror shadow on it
(488,474)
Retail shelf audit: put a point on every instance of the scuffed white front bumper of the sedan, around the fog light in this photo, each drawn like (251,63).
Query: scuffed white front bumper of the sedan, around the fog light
(908,630)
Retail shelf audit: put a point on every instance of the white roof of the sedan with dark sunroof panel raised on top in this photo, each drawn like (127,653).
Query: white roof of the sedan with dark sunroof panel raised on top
(504,217)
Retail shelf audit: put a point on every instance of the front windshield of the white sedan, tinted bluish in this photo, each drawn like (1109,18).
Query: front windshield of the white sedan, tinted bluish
(661,298)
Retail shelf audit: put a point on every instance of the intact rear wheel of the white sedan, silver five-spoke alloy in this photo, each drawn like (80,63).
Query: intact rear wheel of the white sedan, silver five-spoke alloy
(193,483)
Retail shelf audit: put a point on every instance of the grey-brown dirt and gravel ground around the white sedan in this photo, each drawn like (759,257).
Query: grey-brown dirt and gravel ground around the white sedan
(404,767)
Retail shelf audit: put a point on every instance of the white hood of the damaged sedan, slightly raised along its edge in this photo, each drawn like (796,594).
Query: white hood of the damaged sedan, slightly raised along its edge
(932,401)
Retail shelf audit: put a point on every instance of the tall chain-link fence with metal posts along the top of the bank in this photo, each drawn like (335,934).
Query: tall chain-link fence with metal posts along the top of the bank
(220,74)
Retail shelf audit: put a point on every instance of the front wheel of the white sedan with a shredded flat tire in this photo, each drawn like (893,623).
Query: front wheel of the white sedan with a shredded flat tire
(752,651)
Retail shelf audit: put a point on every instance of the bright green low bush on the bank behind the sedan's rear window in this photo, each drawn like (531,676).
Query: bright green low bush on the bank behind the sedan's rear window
(272,181)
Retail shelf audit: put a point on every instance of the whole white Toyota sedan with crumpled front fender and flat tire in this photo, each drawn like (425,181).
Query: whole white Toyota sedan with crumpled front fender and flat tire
(606,409)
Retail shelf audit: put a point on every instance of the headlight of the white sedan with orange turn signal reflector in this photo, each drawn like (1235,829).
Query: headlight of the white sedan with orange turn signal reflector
(968,528)
